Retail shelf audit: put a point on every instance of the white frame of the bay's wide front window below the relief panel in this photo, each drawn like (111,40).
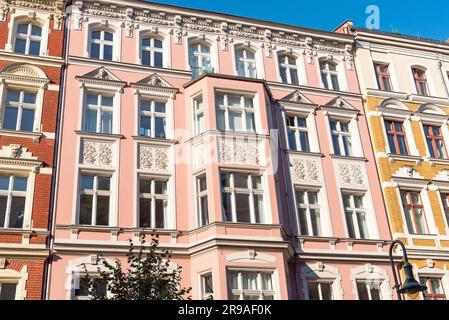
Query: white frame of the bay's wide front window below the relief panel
(249,191)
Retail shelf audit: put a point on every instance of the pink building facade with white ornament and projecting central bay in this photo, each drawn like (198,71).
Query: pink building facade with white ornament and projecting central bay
(242,142)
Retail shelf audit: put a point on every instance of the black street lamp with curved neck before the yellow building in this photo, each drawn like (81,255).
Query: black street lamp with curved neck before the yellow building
(410,285)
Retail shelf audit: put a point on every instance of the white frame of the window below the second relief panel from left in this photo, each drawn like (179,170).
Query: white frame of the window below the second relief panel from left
(153,197)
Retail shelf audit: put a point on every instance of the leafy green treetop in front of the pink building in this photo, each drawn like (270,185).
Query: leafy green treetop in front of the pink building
(147,276)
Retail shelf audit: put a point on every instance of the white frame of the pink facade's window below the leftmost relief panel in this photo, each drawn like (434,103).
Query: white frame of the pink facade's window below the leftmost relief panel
(95,193)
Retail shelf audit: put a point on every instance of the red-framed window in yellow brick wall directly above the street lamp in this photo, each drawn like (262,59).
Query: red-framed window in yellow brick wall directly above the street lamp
(414,212)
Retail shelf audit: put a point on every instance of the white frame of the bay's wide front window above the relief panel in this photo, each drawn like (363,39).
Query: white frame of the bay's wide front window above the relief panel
(241,108)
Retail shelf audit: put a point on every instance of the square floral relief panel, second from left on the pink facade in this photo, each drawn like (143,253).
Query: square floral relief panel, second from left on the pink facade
(153,158)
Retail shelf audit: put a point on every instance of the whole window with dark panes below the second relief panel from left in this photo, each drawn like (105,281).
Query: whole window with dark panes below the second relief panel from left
(152,203)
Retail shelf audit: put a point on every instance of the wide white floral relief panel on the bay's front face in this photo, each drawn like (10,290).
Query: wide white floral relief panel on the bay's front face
(238,151)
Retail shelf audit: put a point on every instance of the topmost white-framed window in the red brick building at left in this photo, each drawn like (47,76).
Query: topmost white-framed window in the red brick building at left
(28,39)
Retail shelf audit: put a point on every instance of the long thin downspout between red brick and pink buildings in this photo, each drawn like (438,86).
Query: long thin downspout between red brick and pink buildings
(56,159)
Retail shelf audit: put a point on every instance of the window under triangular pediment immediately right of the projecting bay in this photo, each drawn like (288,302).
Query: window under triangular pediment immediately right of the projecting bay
(297,131)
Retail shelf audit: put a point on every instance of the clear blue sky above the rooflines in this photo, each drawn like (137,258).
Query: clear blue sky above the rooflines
(426,19)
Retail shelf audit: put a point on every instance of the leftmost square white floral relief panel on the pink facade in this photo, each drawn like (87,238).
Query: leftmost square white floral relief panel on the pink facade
(96,153)
